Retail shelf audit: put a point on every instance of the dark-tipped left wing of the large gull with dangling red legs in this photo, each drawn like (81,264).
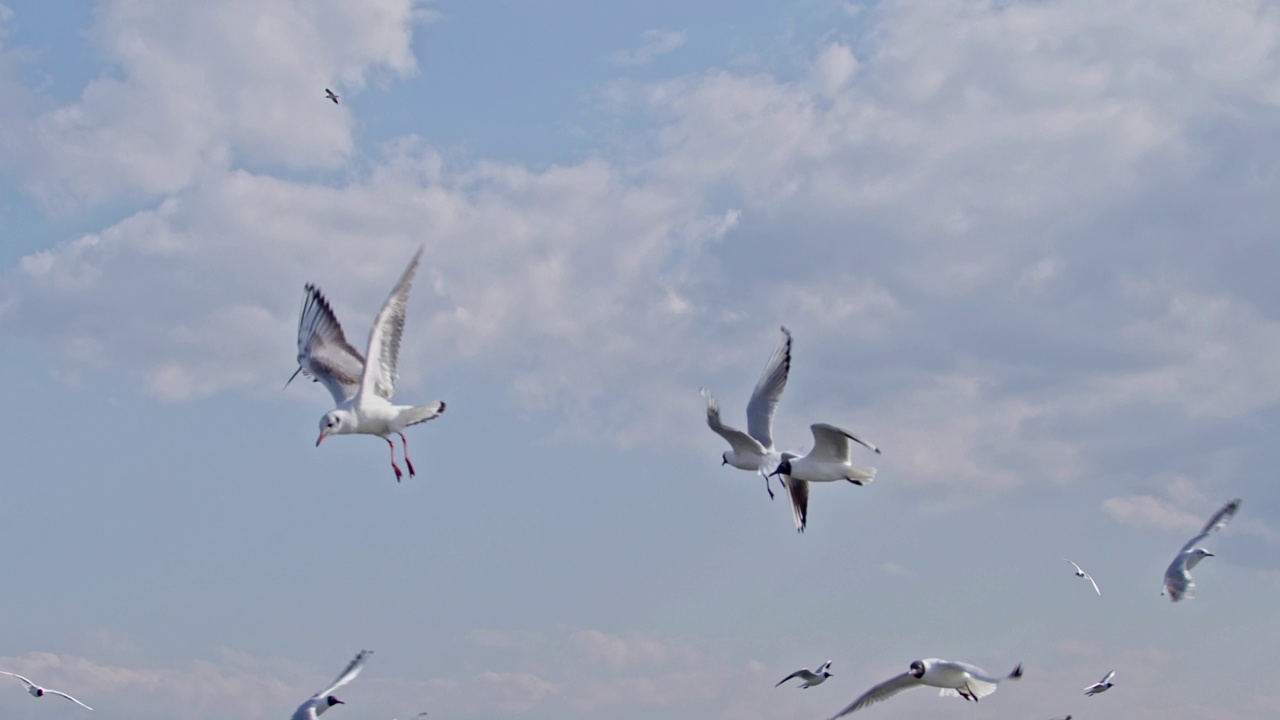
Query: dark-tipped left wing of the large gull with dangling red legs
(324,353)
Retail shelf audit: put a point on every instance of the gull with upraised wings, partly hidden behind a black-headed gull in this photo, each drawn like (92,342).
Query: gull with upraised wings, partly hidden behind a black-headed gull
(753,450)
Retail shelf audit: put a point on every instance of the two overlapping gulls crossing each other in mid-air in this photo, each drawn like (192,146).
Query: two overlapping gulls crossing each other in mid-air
(829,462)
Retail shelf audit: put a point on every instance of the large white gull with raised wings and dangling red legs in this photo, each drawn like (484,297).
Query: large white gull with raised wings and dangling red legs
(362,390)
